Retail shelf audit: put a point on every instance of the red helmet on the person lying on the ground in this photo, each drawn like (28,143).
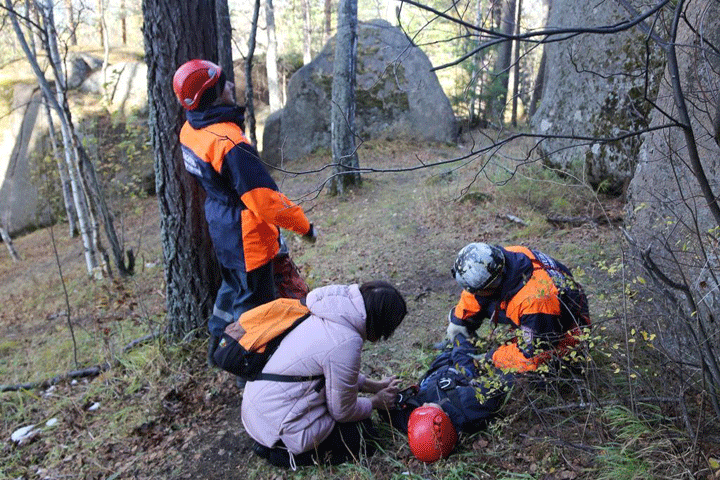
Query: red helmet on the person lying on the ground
(431,433)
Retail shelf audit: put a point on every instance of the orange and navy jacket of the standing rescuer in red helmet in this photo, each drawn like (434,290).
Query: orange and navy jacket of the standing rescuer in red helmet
(243,207)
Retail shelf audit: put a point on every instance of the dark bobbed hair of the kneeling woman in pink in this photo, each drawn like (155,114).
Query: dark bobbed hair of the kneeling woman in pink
(384,307)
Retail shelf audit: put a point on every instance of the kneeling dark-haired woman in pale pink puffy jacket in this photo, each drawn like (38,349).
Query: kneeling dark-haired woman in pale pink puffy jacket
(312,421)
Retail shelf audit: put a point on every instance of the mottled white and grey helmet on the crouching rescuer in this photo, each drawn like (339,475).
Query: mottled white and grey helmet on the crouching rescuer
(479,266)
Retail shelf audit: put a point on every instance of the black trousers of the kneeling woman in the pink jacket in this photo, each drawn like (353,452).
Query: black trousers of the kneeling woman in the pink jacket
(345,443)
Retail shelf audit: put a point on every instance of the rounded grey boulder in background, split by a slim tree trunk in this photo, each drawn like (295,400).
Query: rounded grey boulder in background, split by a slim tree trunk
(397,96)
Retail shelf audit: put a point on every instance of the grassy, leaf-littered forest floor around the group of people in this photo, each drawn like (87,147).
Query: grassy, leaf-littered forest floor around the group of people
(160,413)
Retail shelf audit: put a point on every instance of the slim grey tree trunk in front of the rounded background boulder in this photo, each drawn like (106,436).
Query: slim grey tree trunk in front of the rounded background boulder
(342,114)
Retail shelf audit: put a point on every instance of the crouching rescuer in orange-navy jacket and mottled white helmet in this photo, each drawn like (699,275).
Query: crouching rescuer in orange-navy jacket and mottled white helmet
(525,289)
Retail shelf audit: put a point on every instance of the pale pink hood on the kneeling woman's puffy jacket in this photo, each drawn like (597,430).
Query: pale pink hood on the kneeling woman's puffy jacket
(341,304)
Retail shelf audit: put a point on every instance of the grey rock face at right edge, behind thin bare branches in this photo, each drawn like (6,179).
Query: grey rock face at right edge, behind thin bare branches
(666,211)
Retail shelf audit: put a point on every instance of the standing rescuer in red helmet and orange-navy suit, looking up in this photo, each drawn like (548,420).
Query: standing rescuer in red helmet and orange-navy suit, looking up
(244,207)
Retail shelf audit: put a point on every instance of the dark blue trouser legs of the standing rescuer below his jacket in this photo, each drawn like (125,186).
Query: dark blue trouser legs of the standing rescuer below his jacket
(239,292)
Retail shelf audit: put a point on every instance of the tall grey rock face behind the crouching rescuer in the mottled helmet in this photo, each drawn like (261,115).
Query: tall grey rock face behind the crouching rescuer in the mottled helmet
(595,87)
